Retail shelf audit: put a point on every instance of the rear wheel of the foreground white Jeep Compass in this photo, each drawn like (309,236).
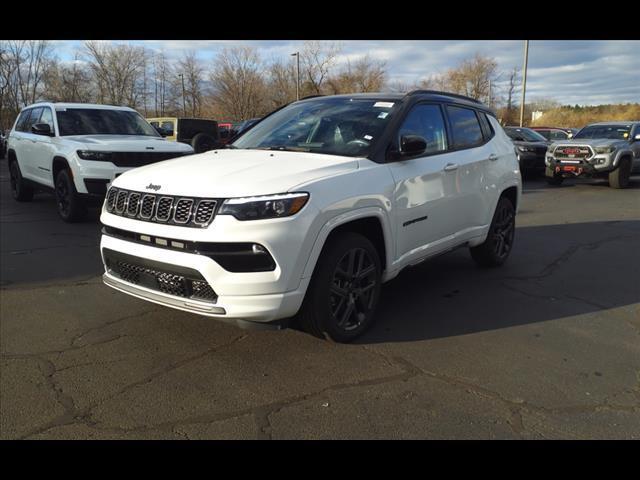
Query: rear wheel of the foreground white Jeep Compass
(496,248)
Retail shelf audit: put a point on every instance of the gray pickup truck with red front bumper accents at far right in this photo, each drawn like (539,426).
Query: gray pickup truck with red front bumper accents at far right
(602,150)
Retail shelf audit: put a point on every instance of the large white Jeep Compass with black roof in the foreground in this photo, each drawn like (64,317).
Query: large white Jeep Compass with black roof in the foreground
(312,209)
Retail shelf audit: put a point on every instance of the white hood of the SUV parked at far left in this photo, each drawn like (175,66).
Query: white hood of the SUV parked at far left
(127,143)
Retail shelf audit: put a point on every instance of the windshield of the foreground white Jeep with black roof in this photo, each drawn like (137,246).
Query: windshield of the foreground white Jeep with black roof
(334,126)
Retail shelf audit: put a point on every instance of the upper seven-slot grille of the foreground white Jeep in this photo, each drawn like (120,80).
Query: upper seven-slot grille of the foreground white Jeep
(150,207)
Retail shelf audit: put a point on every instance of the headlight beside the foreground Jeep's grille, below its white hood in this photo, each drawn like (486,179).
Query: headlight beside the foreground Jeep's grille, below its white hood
(266,206)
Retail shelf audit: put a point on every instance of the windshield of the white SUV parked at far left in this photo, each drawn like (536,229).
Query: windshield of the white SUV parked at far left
(97,121)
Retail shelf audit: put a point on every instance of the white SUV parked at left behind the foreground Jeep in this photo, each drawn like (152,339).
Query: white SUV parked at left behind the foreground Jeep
(78,149)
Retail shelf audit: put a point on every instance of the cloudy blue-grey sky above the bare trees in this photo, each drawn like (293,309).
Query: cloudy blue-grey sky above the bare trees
(582,72)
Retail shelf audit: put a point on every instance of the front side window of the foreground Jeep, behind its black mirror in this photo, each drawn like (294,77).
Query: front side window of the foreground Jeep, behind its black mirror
(426,121)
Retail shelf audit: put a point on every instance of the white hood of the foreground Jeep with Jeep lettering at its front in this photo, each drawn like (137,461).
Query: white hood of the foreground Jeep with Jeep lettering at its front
(235,173)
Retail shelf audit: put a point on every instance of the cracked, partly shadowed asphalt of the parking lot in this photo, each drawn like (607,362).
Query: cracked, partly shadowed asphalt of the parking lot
(548,346)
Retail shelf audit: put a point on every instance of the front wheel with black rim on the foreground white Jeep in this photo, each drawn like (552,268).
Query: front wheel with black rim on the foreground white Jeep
(344,291)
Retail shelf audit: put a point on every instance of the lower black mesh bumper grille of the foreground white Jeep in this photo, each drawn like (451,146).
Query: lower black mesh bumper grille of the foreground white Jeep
(168,279)
